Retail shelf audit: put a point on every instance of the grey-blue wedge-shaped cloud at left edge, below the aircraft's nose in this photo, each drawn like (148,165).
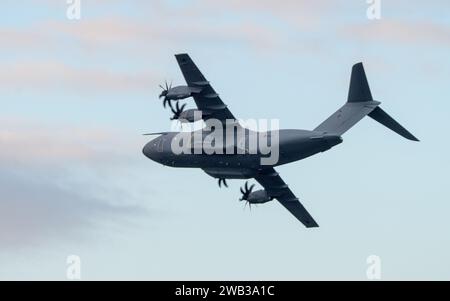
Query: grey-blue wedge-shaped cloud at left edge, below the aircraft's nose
(34,210)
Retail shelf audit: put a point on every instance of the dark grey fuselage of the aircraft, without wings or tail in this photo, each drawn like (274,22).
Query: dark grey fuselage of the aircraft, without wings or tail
(290,145)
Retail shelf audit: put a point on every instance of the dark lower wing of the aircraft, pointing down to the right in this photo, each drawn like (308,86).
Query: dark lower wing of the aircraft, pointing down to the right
(277,188)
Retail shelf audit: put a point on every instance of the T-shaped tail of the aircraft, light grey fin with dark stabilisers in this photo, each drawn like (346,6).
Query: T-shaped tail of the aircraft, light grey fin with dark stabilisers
(359,104)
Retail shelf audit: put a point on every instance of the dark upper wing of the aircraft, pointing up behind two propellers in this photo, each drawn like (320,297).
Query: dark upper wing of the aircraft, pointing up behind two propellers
(208,101)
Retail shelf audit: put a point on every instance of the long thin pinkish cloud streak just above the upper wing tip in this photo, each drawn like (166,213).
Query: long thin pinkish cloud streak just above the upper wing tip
(146,37)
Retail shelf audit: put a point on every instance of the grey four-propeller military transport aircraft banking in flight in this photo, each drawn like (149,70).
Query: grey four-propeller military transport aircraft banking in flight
(292,145)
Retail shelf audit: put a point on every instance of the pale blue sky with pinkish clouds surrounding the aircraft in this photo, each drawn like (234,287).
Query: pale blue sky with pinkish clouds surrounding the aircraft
(76,95)
